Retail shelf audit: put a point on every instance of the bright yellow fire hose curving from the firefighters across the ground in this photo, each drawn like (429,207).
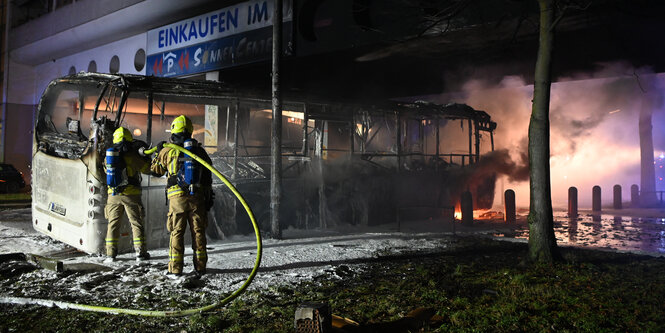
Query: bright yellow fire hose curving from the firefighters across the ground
(157,313)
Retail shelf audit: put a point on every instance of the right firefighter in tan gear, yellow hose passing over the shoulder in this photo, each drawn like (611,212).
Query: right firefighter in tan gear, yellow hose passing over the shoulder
(189,192)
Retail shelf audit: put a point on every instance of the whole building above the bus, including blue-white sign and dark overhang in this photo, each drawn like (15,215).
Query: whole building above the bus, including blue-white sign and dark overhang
(337,49)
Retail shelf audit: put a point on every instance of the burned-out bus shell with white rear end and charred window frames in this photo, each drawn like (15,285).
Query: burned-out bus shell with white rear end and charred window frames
(342,162)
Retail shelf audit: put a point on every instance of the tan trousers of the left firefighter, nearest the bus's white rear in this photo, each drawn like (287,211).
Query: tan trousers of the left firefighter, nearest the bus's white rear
(116,206)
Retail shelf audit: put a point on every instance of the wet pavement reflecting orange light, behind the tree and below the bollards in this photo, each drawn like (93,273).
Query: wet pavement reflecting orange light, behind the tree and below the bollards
(640,231)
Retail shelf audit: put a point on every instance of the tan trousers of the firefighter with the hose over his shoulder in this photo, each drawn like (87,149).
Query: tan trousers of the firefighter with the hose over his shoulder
(184,210)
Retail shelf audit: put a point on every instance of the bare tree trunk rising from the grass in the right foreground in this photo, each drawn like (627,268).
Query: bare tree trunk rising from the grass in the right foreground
(542,243)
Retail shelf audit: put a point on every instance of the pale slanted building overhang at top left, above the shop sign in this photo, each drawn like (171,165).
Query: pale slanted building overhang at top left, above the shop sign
(36,42)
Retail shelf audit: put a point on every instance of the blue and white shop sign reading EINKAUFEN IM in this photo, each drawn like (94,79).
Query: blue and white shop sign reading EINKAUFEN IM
(231,36)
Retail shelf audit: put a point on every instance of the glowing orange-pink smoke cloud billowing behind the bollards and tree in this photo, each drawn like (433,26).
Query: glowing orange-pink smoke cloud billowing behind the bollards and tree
(593,126)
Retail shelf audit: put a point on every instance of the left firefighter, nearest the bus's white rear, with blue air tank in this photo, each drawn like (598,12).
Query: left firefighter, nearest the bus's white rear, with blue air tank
(123,177)
